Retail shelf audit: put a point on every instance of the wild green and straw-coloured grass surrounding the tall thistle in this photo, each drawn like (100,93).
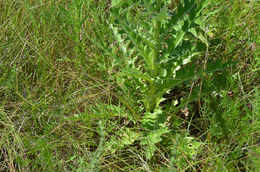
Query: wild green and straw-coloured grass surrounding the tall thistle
(61,108)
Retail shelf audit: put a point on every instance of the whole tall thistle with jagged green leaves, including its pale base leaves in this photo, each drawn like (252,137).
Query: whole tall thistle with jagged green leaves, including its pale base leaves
(154,43)
